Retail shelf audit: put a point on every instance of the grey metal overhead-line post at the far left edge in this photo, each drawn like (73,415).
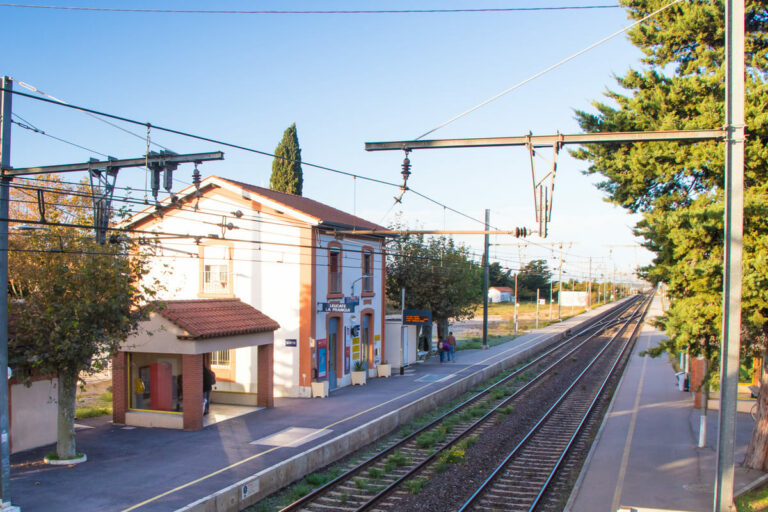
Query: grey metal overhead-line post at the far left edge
(5,163)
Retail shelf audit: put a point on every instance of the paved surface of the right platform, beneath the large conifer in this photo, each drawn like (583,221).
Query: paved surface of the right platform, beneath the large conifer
(646,454)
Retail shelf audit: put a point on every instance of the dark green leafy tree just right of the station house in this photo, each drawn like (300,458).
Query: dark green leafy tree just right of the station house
(437,275)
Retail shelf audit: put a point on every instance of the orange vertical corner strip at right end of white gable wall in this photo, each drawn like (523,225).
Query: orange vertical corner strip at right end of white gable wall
(306,312)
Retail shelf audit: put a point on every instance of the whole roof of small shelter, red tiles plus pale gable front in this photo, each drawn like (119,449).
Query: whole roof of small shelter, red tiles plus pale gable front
(200,326)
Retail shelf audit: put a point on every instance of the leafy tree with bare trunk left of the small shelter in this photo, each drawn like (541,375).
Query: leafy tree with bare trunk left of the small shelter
(72,301)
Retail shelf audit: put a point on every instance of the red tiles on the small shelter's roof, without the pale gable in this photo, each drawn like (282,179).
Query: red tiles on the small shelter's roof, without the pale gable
(213,318)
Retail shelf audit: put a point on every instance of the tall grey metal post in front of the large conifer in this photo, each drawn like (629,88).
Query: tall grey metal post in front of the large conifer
(734,226)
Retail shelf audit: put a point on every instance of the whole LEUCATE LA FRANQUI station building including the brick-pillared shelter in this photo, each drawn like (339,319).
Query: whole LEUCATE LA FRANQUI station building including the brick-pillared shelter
(287,266)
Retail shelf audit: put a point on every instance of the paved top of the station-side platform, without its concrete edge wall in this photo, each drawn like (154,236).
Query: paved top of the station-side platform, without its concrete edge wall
(147,469)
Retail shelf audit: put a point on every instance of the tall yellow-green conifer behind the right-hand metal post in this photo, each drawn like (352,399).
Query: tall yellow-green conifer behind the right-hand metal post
(678,186)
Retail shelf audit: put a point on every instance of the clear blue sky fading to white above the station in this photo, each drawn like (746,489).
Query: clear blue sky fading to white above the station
(344,80)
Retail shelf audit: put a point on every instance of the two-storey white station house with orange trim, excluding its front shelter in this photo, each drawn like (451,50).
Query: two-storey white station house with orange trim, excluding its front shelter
(286,257)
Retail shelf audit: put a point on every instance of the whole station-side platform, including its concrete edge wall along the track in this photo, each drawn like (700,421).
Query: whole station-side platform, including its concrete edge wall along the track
(234,463)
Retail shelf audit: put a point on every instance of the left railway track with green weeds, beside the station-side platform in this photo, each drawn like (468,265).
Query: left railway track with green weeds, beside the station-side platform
(391,476)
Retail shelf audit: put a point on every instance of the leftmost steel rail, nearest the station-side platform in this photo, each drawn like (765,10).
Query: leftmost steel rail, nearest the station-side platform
(609,316)
